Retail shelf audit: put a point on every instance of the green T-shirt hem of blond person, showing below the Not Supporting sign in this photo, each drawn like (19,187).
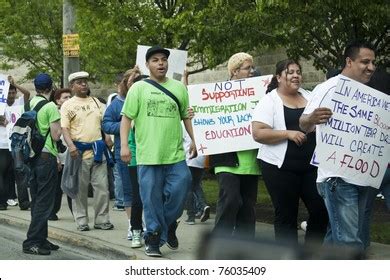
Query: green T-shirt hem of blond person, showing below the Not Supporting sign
(247,164)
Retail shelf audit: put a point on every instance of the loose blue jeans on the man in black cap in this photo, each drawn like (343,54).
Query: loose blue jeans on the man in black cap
(163,191)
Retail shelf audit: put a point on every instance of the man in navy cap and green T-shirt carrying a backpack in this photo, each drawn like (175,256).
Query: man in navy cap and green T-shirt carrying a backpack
(44,170)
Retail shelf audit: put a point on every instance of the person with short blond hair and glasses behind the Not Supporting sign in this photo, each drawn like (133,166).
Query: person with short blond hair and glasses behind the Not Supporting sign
(237,173)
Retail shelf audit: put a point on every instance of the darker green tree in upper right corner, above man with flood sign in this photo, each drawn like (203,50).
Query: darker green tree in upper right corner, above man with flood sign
(320,29)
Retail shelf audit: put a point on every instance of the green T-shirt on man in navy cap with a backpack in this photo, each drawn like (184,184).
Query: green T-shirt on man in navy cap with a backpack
(47,114)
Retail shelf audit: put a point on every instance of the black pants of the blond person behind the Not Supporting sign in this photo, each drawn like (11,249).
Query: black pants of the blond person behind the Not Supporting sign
(236,204)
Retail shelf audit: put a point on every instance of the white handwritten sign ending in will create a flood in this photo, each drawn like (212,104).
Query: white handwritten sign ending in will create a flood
(355,143)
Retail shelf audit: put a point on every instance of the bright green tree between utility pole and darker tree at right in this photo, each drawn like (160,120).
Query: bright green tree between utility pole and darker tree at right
(209,30)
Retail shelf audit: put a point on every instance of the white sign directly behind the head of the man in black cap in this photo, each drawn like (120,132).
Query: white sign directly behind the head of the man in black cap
(177,62)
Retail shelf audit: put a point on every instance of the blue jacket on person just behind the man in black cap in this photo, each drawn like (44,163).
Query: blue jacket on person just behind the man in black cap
(112,122)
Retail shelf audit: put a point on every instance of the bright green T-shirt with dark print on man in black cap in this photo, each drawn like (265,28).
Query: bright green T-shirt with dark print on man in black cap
(157,119)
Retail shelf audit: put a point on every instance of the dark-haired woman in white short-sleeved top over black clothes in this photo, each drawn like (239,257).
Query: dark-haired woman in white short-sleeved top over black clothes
(285,155)
